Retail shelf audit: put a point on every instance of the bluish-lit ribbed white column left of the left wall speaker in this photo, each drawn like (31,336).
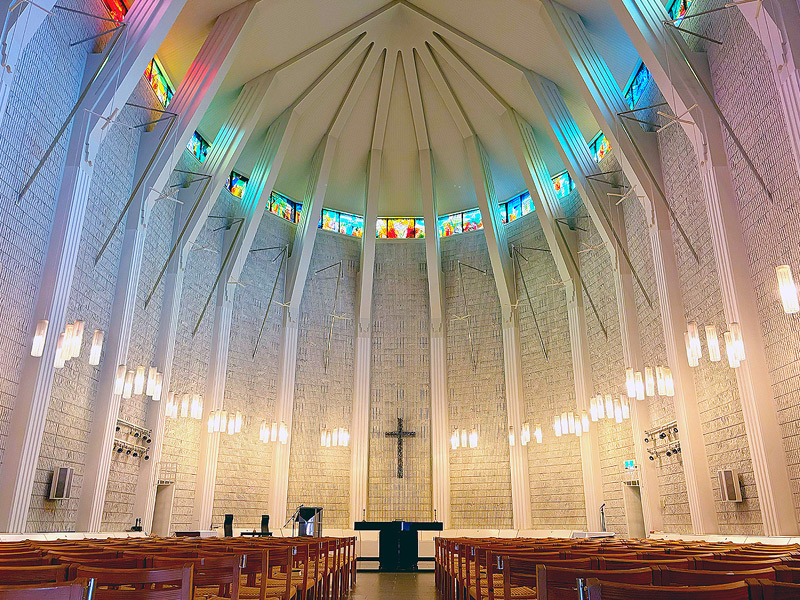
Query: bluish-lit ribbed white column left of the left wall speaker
(147,26)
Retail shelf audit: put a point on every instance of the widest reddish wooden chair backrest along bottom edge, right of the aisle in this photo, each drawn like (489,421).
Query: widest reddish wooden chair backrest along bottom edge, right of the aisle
(605,590)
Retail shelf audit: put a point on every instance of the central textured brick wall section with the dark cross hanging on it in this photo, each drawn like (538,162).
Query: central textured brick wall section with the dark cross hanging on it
(400,383)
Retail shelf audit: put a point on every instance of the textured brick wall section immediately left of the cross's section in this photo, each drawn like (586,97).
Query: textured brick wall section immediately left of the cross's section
(321,476)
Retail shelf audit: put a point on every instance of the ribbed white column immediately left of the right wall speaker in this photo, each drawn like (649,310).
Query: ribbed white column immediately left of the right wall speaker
(641,165)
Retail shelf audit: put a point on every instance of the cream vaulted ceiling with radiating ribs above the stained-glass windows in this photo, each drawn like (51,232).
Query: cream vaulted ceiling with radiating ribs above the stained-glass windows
(424,36)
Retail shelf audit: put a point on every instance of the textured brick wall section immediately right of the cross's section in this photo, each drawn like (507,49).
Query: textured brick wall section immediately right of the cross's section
(480,478)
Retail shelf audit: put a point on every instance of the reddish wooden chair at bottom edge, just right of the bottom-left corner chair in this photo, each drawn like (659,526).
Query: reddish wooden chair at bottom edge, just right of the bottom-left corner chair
(140,584)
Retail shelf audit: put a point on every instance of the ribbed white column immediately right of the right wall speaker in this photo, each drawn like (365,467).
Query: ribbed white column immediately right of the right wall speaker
(642,20)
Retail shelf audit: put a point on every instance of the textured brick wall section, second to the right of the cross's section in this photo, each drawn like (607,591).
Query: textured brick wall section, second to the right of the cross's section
(556,482)
